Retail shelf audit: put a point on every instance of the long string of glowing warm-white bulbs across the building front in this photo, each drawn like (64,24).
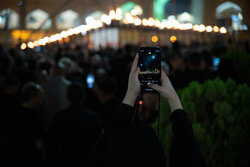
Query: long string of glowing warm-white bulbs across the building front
(126,19)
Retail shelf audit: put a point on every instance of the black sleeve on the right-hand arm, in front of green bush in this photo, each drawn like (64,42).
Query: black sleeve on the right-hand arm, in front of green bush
(185,151)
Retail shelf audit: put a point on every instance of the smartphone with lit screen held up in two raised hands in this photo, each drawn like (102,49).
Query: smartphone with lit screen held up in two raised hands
(150,67)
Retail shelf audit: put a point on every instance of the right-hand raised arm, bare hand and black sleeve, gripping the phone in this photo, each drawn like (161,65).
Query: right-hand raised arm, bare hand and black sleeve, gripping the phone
(185,151)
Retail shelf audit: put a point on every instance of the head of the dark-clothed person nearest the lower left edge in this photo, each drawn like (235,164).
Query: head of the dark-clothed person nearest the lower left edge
(32,95)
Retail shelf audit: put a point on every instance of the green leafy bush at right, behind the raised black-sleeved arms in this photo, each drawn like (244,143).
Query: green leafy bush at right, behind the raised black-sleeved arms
(220,114)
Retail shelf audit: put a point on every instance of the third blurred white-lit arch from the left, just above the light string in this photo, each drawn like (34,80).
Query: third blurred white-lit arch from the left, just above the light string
(67,19)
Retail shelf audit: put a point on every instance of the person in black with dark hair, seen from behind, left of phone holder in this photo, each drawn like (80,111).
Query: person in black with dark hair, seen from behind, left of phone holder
(73,132)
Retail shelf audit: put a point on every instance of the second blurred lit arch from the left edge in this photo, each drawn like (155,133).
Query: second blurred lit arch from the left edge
(37,19)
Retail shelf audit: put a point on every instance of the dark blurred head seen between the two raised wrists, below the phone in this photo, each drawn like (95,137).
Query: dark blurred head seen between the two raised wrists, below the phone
(148,109)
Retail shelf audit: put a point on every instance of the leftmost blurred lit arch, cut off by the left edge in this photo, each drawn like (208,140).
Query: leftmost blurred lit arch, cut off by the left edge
(9,19)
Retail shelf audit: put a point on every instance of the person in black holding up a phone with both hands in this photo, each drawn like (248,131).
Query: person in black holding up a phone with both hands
(133,144)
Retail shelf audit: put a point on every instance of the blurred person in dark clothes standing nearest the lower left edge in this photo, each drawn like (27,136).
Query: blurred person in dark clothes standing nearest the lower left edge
(24,146)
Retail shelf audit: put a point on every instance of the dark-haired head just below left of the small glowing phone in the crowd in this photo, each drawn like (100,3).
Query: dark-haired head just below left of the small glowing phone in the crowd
(76,93)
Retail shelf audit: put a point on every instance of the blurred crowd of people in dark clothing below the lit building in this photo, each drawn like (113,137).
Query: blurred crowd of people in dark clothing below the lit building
(47,97)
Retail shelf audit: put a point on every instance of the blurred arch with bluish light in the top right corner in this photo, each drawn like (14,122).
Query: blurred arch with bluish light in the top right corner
(229,14)
